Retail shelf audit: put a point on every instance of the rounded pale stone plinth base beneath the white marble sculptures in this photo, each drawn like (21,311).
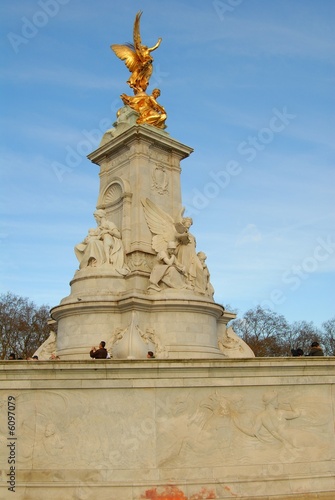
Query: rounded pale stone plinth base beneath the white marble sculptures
(173,324)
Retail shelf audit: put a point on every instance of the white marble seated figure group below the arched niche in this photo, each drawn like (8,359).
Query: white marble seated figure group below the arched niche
(102,245)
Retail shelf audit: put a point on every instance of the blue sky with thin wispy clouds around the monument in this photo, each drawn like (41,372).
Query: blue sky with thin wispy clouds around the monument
(247,84)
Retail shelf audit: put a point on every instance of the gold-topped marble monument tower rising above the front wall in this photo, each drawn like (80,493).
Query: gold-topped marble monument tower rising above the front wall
(142,283)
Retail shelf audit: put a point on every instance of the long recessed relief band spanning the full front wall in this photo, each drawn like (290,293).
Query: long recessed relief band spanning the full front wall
(186,428)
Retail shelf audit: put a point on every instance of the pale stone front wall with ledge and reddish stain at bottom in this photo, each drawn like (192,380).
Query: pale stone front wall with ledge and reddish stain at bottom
(168,429)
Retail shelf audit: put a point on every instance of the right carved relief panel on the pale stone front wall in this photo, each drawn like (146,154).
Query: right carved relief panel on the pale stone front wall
(232,429)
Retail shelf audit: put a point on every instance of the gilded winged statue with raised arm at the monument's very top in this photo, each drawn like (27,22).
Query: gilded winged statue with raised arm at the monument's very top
(137,58)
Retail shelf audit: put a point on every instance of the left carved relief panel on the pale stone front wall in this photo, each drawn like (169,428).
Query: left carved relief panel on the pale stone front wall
(69,430)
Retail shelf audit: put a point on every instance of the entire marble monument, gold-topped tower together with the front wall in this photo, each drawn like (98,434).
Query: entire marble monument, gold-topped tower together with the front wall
(202,420)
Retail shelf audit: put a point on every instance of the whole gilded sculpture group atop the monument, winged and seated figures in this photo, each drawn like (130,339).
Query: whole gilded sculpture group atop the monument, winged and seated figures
(138,60)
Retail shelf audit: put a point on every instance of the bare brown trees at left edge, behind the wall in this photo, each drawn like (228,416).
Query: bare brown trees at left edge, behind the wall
(23,326)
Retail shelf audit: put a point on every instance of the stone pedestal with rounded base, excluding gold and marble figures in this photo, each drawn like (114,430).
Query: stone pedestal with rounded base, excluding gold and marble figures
(140,193)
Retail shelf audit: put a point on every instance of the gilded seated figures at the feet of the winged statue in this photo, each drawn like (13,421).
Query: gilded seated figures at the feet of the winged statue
(150,111)
